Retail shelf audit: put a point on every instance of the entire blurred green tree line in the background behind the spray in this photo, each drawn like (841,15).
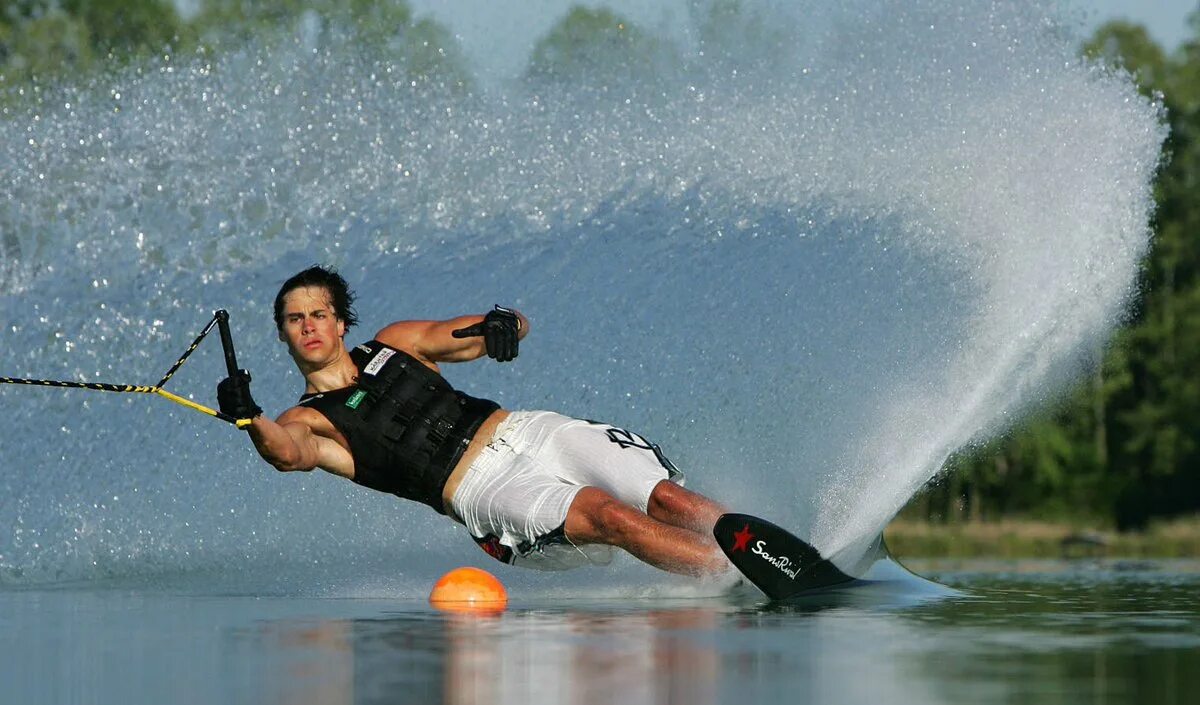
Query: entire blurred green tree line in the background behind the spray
(1121,450)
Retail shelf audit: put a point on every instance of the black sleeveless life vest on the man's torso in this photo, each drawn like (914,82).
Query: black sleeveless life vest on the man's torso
(406,425)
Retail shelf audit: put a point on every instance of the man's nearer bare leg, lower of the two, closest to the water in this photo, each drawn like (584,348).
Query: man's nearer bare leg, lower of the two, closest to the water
(597,517)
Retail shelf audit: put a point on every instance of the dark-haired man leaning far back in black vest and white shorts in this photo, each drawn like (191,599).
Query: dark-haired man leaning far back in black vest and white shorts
(533,489)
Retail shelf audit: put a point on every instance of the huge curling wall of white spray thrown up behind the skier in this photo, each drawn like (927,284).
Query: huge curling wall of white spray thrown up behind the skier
(811,284)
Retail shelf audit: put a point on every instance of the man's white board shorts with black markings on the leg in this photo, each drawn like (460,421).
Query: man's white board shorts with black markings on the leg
(515,496)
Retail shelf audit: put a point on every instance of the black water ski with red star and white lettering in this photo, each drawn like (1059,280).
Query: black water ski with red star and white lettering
(776,562)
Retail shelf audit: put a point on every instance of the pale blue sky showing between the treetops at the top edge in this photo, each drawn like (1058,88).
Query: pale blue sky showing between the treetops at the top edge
(499,34)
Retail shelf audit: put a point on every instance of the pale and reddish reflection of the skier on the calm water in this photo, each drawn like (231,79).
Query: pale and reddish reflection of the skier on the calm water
(587,656)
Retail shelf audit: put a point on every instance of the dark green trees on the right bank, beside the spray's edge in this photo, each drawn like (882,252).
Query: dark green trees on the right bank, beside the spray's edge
(1125,447)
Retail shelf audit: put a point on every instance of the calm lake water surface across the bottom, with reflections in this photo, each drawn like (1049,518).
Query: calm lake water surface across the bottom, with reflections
(992,632)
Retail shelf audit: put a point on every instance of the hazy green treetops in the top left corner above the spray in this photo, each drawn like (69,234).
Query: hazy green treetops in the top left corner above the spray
(70,39)
